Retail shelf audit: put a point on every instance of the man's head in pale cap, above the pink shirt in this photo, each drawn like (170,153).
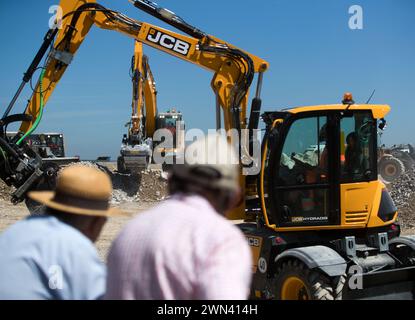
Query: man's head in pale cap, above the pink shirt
(211,170)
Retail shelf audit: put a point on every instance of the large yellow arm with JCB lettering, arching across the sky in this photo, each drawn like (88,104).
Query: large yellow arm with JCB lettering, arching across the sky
(233,68)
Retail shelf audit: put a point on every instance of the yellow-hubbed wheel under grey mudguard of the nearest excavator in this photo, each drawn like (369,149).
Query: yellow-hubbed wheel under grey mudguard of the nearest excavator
(294,281)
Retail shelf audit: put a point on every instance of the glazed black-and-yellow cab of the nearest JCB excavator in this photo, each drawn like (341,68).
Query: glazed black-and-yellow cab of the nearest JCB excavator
(324,156)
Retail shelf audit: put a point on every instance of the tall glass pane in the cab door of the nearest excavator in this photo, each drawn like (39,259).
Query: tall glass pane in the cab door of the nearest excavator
(302,181)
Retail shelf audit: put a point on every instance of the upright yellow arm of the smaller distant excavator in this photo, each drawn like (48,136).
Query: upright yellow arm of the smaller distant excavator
(144,93)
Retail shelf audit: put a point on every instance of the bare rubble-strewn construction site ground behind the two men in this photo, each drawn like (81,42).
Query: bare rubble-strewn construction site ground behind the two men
(134,195)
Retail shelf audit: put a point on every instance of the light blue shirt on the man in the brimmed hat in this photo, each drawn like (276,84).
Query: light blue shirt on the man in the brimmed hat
(44,258)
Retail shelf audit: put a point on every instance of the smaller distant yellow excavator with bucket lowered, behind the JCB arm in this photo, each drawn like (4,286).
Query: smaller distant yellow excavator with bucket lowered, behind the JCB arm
(138,145)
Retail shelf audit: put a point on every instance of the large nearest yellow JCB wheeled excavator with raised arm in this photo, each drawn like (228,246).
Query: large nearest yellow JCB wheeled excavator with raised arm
(326,226)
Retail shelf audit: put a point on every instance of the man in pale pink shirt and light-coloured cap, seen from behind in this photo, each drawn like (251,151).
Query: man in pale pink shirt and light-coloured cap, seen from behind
(185,248)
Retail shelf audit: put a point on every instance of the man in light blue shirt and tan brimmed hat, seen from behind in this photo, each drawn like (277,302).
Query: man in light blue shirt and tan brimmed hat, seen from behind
(52,256)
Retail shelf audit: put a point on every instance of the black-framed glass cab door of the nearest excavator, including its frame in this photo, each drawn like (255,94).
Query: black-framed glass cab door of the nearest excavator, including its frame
(303,183)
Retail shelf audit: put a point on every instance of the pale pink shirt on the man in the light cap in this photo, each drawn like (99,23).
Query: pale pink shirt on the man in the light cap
(181,249)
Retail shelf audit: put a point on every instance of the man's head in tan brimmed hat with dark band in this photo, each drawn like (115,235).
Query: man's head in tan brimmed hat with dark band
(81,199)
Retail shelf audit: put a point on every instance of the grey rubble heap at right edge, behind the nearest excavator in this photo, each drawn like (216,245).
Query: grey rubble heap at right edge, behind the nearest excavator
(403,193)
